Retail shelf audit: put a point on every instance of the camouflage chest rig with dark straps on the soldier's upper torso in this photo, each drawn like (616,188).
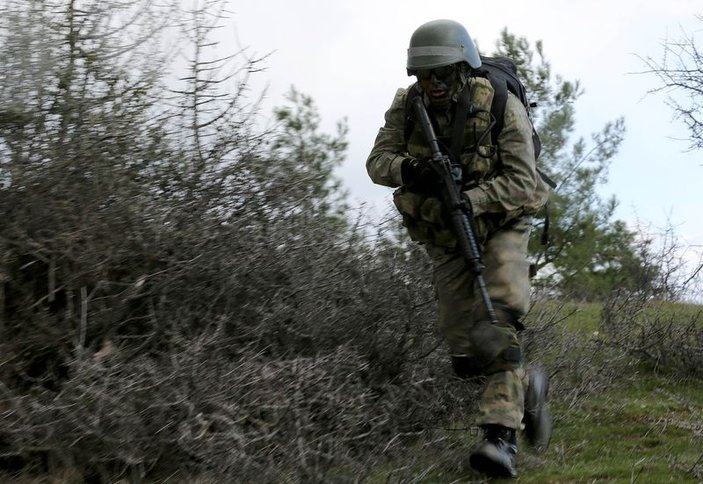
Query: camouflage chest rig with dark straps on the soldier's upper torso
(465,136)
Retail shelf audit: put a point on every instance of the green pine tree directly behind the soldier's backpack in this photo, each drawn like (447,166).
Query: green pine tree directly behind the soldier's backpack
(590,253)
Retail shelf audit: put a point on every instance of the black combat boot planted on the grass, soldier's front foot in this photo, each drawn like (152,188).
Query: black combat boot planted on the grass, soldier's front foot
(496,455)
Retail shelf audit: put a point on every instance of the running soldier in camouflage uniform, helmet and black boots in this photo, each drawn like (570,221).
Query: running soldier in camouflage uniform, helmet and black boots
(503,189)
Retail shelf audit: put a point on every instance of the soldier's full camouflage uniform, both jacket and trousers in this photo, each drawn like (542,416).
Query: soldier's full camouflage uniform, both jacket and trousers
(504,190)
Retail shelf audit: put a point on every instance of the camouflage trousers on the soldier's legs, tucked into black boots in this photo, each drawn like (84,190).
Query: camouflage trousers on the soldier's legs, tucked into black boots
(506,272)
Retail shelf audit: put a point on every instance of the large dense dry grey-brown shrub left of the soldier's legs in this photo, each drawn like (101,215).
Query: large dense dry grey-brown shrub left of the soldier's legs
(293,356)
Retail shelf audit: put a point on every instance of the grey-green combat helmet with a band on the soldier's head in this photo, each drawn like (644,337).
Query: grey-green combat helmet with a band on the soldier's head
(440,43)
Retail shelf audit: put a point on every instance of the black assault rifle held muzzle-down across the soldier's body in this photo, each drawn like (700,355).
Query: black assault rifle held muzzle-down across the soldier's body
(459,209)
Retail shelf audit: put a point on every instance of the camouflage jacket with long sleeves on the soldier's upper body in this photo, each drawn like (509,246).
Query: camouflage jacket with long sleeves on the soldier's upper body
(503,186)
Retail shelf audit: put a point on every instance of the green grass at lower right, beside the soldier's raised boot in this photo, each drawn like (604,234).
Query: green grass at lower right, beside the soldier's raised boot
(647,431)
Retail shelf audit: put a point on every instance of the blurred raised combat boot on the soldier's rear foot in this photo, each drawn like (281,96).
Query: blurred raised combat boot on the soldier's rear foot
(537,418)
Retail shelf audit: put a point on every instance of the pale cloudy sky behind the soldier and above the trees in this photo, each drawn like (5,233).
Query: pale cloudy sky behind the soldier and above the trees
(349,55)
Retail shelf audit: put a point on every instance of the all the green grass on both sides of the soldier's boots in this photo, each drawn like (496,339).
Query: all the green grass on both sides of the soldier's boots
(645,428)
